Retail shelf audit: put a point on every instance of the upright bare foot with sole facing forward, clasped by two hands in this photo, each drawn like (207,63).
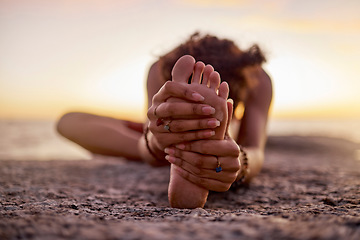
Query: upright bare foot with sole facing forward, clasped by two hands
(181,192)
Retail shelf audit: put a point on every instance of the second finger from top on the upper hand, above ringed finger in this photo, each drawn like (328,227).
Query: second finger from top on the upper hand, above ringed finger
(177,109)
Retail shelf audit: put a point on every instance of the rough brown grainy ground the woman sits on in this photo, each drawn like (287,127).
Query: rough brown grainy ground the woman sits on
(309,189)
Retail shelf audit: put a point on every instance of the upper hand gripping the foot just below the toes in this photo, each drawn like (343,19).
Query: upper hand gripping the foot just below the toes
(184,120)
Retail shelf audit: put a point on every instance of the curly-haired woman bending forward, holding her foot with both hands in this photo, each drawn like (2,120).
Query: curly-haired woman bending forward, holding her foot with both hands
(189,117)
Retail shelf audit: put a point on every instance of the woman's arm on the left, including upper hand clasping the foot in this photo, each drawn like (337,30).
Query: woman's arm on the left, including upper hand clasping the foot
(152,147)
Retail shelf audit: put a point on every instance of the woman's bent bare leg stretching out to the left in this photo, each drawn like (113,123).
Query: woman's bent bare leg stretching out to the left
(101,135)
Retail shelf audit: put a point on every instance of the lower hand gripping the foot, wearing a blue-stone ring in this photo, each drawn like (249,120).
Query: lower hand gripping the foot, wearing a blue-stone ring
(197,162)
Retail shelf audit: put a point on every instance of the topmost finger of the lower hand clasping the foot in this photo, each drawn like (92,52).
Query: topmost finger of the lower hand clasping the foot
(212,147)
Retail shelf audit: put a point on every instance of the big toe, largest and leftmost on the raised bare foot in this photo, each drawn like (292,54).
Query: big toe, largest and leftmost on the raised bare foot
(183,69)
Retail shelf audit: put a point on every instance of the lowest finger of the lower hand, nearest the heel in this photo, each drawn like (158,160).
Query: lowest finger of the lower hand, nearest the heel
(210,184)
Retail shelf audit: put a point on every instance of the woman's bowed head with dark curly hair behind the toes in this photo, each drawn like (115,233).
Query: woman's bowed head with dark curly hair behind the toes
(223,55)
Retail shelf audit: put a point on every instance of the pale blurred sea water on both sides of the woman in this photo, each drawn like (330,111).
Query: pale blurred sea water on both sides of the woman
(38,140)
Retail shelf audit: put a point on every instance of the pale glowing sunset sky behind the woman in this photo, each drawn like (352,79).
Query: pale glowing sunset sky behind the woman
(61,55)
